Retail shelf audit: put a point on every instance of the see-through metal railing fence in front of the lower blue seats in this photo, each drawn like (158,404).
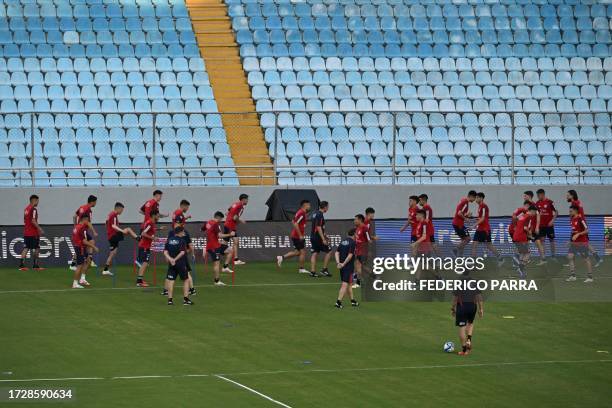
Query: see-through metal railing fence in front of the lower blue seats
(398,135)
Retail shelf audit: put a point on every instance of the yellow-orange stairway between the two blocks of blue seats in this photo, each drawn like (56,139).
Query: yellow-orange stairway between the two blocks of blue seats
(219,49)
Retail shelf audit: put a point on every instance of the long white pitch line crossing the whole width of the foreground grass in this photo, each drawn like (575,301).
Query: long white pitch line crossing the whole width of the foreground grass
(325,370)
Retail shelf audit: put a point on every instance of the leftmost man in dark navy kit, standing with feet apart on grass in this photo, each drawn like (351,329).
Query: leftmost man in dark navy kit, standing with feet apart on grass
(175,253)
